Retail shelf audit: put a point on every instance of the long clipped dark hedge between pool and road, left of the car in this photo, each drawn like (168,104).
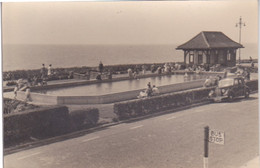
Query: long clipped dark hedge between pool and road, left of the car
(140,107)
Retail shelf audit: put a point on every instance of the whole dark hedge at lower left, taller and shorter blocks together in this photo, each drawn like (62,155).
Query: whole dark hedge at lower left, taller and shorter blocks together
(45,122)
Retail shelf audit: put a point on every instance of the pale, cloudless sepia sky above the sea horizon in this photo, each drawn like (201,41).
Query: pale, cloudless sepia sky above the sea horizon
(126,22)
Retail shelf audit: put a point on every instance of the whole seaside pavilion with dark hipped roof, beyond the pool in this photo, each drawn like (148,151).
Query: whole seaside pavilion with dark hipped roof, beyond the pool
(210,48)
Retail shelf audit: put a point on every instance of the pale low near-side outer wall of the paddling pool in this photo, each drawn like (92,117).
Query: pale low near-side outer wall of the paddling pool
(106,98)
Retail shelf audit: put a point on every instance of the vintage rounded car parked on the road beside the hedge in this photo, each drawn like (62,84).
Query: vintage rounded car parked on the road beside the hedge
(229,88)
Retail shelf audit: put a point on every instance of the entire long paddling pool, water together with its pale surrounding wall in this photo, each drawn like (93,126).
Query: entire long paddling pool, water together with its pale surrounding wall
(116,90)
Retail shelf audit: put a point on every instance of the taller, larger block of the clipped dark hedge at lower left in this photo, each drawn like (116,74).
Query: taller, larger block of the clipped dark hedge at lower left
(38,123)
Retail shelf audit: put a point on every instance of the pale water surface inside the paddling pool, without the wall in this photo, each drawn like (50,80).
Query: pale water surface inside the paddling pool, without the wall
(120,86)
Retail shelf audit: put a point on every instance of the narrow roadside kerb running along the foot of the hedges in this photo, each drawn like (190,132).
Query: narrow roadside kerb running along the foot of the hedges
(37,143)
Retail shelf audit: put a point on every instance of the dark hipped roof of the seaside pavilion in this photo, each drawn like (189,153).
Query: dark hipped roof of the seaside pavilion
(210,40)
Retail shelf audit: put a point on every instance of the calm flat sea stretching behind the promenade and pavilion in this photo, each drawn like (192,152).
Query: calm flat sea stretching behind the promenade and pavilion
(24,57)
